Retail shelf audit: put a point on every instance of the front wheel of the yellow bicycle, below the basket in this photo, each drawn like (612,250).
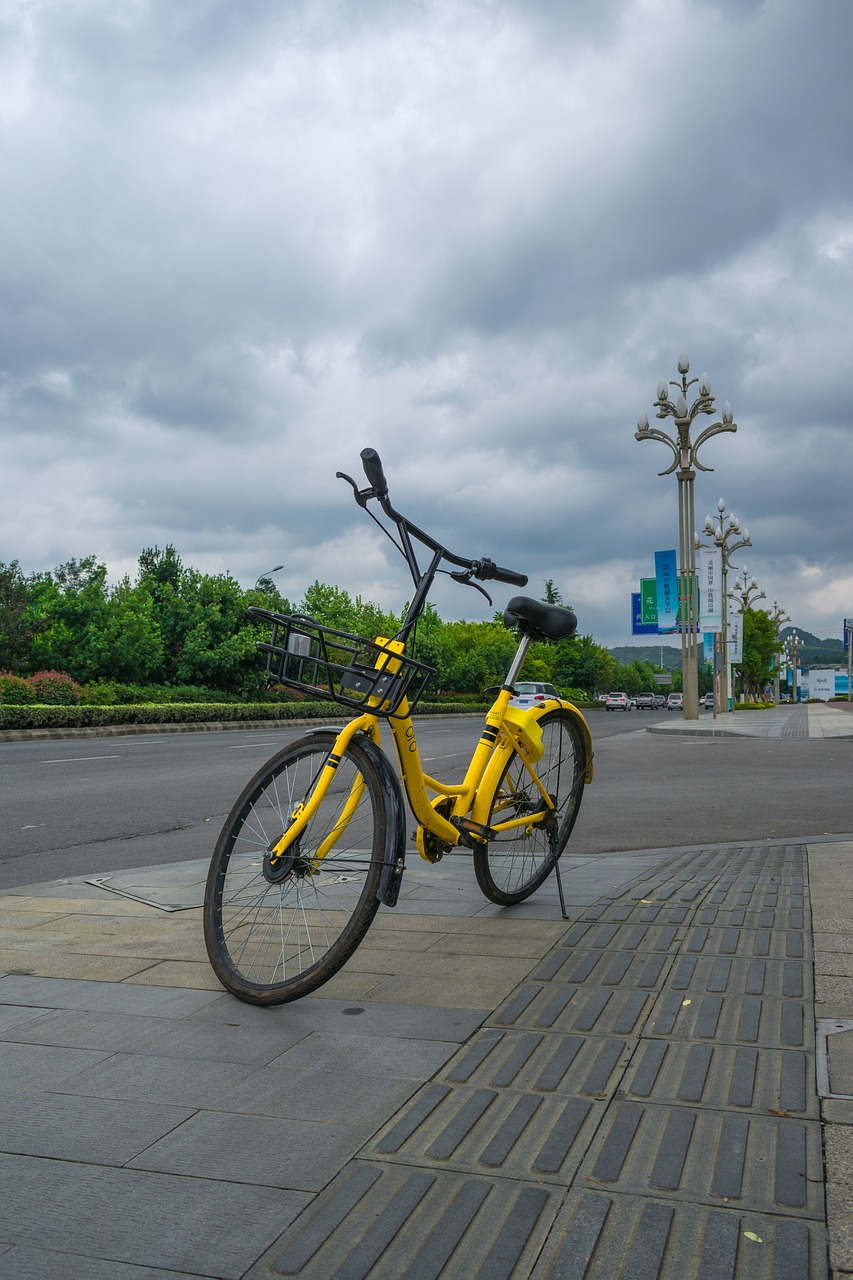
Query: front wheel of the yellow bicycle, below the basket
(276,932)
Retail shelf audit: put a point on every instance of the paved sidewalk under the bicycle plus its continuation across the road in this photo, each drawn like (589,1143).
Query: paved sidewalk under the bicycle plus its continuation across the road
(662,1087)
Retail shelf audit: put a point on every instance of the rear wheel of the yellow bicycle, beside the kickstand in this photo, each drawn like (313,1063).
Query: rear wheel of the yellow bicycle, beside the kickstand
(519,860)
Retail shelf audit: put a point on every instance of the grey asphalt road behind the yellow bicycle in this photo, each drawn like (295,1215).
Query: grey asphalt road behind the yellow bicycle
(99,806)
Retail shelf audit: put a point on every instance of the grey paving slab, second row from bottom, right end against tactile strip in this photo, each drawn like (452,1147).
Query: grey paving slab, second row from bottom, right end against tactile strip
(291,1155)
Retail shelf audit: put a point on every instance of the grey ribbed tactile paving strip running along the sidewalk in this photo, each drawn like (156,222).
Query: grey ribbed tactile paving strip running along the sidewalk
(644,1107)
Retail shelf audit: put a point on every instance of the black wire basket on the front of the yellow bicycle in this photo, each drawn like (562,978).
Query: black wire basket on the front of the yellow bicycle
(336,666)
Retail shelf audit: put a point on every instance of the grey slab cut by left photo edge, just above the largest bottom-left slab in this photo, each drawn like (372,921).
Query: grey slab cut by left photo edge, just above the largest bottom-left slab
(95,1131)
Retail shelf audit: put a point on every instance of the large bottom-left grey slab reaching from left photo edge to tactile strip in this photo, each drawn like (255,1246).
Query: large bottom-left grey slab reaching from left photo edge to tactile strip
(197,1226)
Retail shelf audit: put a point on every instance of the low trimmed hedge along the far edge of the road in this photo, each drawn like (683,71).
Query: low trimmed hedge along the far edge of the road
(186,714)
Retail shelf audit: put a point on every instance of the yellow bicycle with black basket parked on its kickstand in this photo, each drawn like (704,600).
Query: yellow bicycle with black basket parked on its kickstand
(317,842)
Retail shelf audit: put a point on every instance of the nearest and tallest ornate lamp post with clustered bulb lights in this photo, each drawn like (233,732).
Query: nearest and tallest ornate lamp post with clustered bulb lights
(685,460)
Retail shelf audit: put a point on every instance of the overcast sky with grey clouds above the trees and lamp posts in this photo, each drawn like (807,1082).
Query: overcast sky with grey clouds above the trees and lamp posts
(240,243)
